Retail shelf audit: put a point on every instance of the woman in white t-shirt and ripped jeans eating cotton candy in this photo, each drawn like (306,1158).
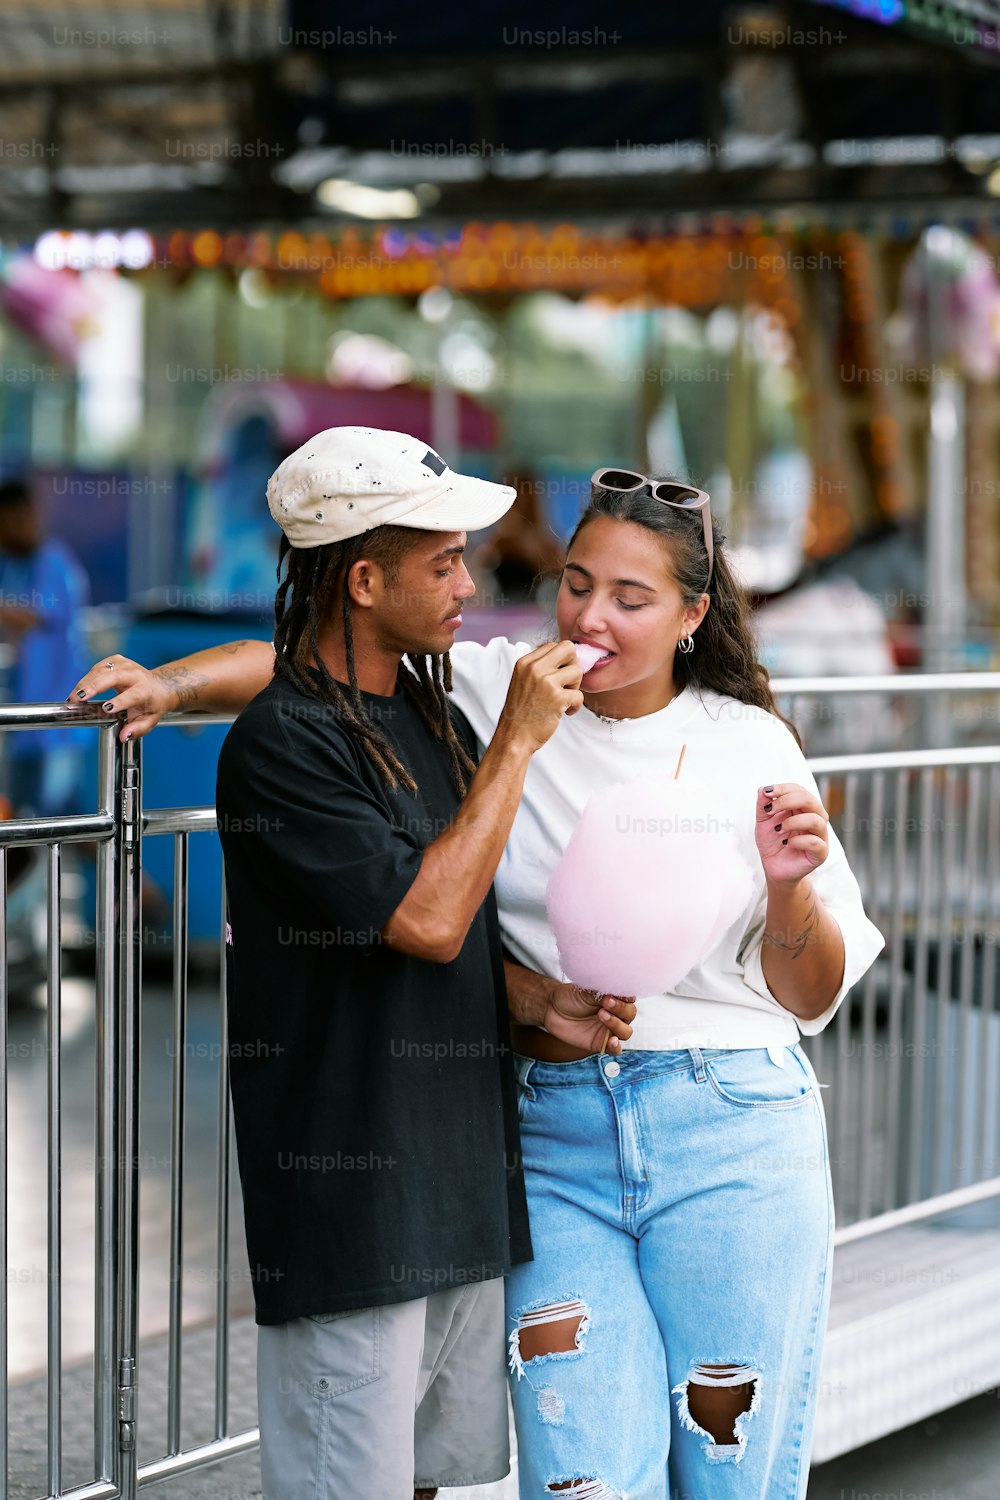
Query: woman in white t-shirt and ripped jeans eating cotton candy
(680,1193)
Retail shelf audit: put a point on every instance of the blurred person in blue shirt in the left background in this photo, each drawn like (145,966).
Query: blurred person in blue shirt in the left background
(43,590)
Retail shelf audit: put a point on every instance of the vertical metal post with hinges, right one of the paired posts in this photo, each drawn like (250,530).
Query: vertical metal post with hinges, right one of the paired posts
(128,986)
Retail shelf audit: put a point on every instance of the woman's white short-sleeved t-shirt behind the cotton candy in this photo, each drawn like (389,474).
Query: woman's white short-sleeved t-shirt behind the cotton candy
(725,1001)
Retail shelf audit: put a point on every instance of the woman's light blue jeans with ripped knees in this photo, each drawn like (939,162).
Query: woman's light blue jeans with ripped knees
(681,1217)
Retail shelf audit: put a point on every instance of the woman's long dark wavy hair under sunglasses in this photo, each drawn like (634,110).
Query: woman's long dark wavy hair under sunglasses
(725,658)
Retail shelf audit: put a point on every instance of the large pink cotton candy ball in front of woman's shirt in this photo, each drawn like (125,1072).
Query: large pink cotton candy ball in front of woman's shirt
(651,880)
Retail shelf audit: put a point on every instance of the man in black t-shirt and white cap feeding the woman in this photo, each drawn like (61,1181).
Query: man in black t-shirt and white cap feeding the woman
(373,1081)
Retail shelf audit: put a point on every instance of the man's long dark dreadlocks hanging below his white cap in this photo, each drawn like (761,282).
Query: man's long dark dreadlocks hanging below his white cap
(314,578)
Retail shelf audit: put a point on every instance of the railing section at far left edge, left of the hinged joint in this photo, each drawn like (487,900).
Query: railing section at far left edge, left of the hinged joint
(116,1207)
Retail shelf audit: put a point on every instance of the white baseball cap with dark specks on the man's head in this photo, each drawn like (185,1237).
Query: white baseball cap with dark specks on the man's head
(349,481)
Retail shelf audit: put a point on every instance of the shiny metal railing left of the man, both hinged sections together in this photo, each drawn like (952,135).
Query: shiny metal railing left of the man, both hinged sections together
(116,829)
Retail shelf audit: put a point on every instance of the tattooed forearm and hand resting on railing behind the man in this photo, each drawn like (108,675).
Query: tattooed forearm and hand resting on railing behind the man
(221,680)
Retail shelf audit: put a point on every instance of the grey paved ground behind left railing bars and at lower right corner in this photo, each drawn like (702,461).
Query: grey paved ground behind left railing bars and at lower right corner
(953,1457)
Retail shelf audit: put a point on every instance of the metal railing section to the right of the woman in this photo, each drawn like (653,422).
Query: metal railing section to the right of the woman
(917,1045)
